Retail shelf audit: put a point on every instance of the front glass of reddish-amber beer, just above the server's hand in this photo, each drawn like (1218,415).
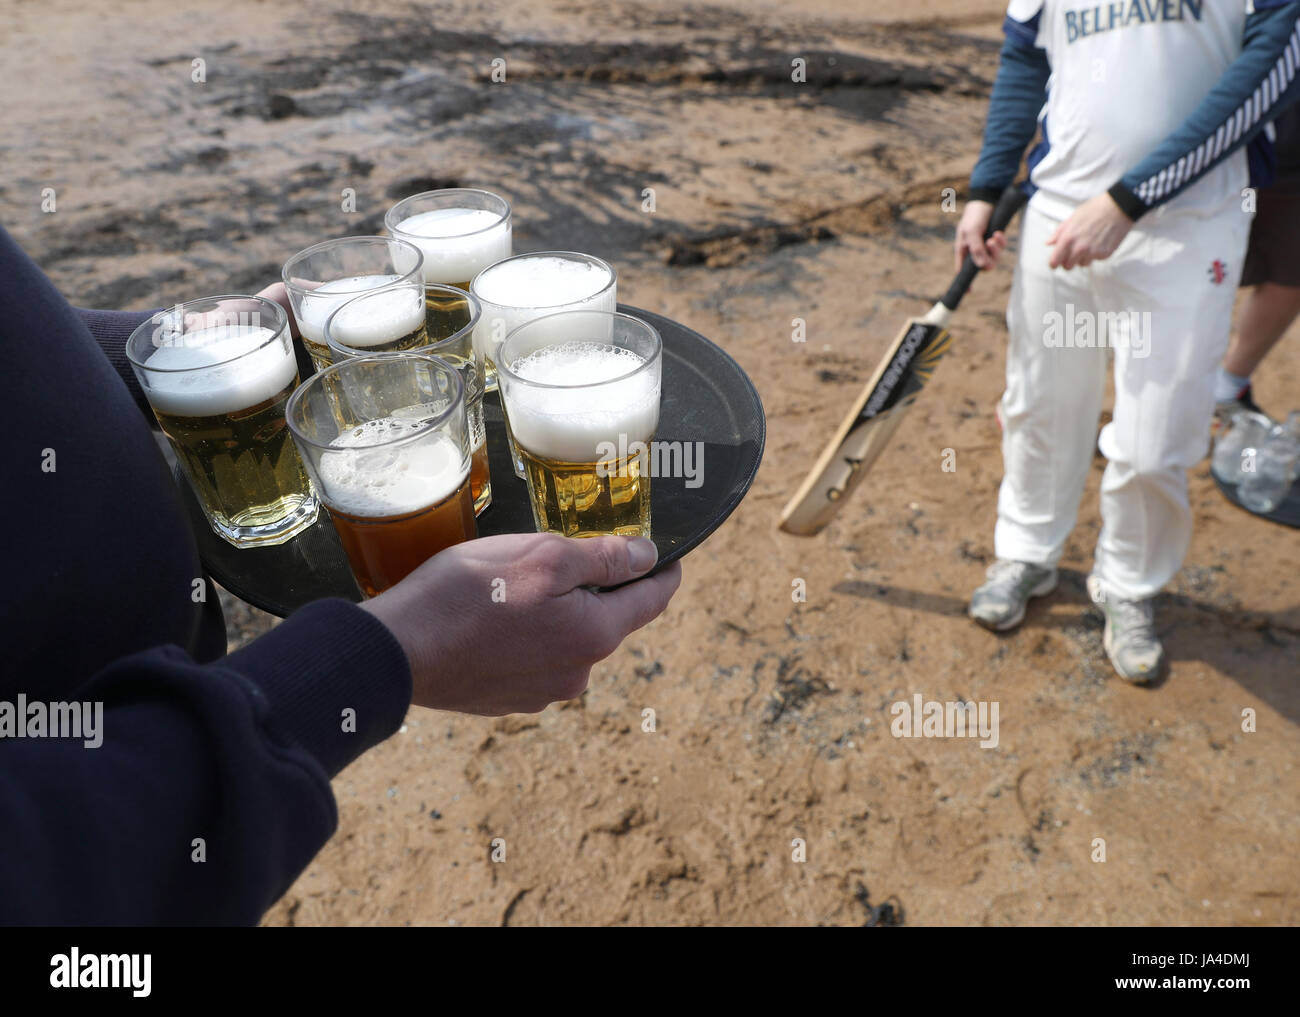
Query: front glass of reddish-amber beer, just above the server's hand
(387,444)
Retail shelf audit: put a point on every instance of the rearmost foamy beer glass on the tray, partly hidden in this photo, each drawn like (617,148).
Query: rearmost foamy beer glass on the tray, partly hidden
(461,232)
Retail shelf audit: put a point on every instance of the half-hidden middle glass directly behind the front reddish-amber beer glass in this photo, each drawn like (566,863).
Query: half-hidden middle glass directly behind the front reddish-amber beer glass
(379,321)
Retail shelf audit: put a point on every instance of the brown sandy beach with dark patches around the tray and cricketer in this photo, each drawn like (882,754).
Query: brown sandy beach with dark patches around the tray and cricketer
(773,201)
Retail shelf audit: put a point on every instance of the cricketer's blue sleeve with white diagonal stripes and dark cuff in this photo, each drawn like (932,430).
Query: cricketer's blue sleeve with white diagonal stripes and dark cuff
(1255,89)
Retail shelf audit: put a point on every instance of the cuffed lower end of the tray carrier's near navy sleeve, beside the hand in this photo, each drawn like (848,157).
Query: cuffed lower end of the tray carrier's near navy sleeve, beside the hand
(337,681)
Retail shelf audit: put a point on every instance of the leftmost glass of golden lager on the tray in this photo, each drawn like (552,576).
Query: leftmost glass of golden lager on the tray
(219,374)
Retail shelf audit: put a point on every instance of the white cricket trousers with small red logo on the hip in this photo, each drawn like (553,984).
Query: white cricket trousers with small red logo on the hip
(1163,304)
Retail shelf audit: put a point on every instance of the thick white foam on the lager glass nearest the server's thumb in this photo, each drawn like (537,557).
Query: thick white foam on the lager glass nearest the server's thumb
(599,404)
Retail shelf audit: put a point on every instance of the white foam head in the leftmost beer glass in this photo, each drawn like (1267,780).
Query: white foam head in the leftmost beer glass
(192,378)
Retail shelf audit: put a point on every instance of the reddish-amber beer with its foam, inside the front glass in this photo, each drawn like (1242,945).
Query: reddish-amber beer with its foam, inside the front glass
(397,513)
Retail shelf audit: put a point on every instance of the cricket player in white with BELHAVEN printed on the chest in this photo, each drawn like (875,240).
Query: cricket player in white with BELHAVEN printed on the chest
(1149,116)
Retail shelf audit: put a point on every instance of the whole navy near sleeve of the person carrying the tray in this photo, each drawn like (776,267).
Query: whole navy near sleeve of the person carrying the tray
(210,791)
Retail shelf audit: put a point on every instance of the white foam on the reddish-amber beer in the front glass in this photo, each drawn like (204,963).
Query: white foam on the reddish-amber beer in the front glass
(367,478)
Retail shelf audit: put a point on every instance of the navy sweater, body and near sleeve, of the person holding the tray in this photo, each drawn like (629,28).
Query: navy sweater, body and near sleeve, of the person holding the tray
(209,790)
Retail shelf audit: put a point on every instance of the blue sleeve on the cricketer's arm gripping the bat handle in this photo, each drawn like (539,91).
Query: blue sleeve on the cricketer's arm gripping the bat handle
(1020,92)
